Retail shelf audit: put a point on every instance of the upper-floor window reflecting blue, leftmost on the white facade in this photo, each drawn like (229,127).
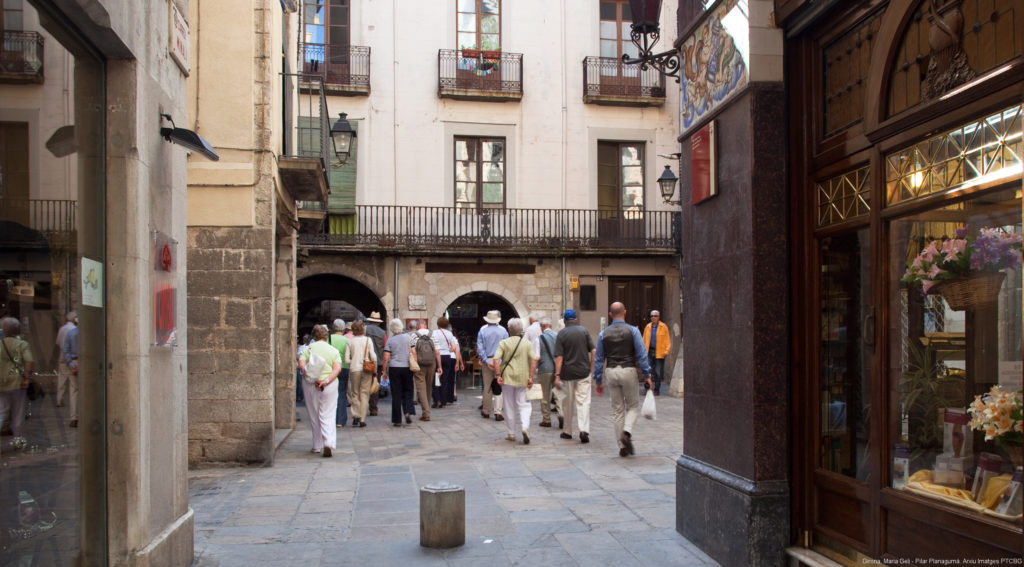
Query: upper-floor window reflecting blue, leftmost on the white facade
(325,33)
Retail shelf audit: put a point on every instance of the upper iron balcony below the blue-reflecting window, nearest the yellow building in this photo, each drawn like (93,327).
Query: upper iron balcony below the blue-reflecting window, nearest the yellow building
(345,70)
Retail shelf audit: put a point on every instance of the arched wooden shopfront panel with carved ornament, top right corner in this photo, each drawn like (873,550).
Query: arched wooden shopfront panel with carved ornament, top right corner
(988,35)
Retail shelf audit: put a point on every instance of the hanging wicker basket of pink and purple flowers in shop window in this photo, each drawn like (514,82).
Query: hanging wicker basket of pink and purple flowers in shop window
(965,271)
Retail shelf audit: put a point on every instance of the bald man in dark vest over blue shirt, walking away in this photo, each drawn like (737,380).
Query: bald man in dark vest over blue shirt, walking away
(620,353)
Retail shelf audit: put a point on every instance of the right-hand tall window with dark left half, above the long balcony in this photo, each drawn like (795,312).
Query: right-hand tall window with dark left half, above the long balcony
(620,180)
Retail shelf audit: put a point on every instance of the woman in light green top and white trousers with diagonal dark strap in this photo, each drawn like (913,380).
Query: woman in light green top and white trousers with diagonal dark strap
(515,367)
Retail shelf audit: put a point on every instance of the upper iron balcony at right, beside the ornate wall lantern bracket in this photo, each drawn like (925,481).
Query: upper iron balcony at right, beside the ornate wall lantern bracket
(610,82)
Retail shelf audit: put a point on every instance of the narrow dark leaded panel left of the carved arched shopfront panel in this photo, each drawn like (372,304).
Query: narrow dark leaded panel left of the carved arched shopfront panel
(847,62)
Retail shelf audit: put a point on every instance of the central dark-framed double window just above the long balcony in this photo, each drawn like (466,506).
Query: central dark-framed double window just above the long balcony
(480,172)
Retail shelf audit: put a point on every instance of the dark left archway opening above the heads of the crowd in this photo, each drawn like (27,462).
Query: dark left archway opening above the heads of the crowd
(326,297)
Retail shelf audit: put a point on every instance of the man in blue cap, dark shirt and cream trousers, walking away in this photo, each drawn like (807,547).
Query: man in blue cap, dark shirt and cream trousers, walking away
(574,367)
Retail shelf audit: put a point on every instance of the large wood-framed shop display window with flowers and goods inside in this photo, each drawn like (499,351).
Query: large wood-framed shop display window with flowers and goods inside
(957,336)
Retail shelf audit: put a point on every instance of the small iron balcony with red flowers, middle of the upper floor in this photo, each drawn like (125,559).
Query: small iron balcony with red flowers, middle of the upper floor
(480,75)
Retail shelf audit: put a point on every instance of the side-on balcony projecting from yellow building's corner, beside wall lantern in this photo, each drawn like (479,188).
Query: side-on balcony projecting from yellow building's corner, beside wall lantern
(307,155)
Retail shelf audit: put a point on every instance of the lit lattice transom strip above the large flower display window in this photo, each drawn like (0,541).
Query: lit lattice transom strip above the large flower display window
(974,156)
